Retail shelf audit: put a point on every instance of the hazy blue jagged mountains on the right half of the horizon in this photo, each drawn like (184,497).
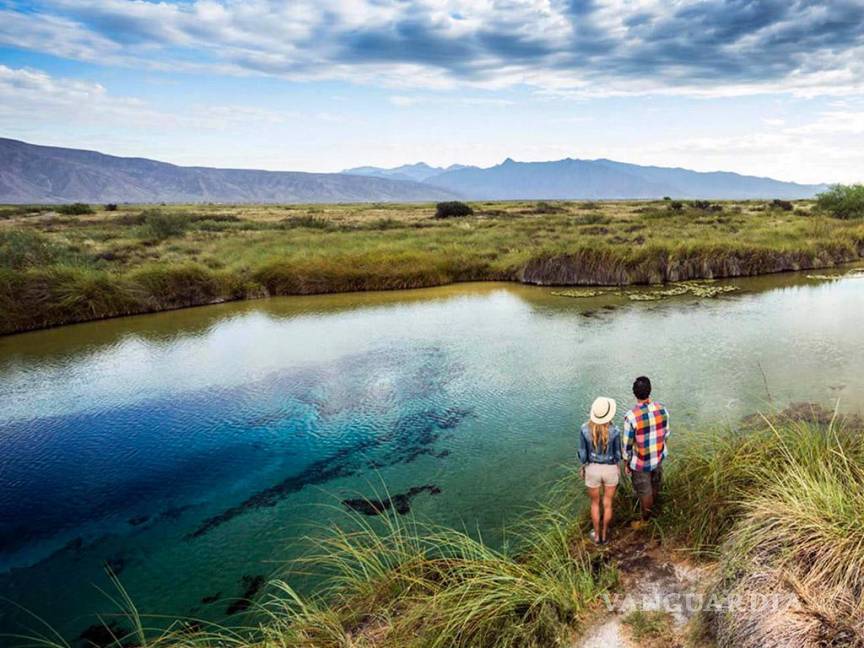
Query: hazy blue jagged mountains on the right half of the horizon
(595,179)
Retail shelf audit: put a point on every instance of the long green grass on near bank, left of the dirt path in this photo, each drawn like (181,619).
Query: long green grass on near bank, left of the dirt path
(409,583)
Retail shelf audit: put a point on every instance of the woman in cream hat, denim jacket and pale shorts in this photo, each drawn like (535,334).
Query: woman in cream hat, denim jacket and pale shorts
(599,454)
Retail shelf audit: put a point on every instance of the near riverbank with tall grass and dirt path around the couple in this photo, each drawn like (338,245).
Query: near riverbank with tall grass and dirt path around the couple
(765,517)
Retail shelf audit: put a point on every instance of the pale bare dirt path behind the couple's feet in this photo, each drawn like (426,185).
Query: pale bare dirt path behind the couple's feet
(652,580)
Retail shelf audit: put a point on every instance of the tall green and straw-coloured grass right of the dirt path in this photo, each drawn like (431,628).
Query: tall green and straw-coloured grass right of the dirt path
(779,502)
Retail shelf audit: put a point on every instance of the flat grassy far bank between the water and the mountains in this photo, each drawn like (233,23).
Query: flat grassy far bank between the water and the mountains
(63,268)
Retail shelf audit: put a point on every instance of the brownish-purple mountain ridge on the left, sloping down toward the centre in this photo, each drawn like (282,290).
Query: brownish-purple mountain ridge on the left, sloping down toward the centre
(47,174)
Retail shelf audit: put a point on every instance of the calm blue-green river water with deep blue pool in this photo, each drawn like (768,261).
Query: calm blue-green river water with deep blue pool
(190,449)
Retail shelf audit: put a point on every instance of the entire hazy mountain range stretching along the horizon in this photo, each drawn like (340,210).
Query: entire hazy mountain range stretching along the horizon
(45,174)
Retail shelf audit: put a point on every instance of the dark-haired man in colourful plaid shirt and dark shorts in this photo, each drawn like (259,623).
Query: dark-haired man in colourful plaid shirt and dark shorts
(646,429)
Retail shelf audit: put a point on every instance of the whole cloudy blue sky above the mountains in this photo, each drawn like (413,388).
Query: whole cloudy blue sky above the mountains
(763,87)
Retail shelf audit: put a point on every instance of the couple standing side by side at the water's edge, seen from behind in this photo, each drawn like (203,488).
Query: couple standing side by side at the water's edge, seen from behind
(642,446)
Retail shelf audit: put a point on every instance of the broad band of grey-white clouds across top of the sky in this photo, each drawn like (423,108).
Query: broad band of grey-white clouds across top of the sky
(569,47)
